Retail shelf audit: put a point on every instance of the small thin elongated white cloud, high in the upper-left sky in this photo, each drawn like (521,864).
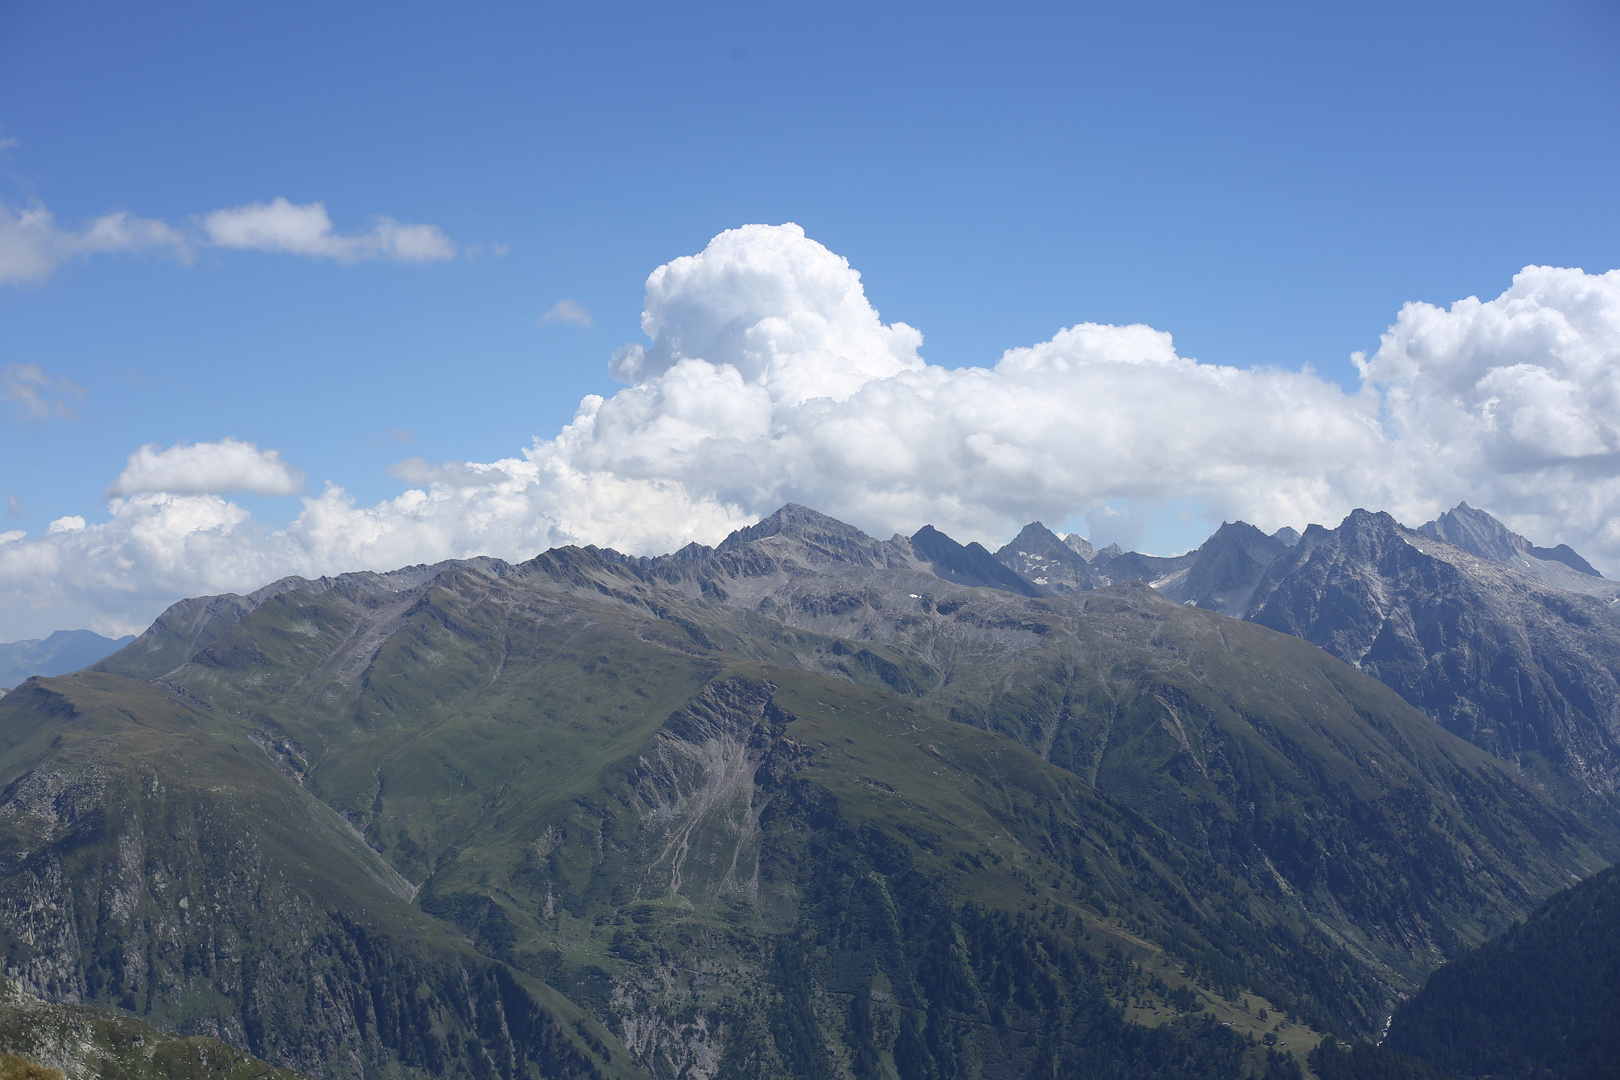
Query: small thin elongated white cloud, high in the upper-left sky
(307,229)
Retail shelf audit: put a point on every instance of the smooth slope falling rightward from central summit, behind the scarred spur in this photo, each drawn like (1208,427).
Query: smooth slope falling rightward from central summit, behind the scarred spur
(1258,749)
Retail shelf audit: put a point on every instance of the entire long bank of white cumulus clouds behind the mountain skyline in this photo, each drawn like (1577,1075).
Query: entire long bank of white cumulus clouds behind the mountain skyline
(769,376)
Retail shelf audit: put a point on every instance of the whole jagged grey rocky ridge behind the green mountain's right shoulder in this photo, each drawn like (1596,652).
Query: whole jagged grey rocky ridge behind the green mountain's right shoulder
(1509,645)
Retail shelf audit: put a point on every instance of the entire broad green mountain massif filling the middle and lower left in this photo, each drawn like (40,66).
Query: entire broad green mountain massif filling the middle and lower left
(791,807)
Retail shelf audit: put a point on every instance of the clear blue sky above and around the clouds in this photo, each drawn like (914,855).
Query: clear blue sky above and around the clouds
(1268,182)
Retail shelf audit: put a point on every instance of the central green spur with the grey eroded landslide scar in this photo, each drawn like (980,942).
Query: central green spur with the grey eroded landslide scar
(597,853)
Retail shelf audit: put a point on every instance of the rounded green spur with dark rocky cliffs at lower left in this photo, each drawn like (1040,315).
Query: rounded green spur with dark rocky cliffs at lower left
(151,865)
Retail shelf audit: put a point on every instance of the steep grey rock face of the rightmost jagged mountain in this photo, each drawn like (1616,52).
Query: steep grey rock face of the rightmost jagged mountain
(1517,666)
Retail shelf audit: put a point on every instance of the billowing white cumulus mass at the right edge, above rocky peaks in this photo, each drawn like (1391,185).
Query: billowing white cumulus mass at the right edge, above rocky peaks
(1514,404)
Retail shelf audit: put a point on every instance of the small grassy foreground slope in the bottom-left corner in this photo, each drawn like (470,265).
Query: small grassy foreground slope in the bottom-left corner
(38,1037)
